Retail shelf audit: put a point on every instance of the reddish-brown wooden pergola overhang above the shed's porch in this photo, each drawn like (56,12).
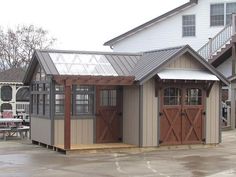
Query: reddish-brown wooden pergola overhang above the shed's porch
(93,80)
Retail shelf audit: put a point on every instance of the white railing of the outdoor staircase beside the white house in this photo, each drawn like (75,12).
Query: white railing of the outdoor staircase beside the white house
(218,41)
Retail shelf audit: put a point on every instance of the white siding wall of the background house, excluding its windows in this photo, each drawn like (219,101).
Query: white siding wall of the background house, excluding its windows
(168,32)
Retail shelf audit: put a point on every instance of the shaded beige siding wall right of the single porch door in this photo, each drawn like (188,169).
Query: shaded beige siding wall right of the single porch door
(131,115)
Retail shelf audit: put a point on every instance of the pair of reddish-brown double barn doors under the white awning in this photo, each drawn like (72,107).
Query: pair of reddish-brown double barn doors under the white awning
(181,115)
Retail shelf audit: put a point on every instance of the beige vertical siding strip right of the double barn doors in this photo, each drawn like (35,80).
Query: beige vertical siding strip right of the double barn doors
(213,115)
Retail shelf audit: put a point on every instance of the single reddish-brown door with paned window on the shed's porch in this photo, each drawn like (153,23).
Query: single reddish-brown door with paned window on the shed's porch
(108,114)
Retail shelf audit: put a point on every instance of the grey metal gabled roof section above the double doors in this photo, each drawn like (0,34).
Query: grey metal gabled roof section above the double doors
(153,61)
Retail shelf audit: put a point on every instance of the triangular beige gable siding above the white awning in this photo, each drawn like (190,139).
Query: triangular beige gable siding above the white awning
(186,61)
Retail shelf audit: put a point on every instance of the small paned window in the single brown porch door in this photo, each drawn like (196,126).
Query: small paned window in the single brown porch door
(108,98)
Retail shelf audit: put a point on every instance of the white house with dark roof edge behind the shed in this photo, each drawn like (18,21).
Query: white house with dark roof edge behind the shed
(193,23)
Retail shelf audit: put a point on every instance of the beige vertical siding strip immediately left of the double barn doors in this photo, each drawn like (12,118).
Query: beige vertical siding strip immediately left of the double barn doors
(150,112)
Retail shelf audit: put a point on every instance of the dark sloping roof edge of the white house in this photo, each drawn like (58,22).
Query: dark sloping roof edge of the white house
(151,22)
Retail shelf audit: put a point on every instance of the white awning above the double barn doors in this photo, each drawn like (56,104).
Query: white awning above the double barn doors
(179,74)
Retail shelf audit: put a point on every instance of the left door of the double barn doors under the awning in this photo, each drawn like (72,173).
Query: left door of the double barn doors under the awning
(170,121)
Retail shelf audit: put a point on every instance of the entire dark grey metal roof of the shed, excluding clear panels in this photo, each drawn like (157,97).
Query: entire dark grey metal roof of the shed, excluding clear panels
(142,66)
